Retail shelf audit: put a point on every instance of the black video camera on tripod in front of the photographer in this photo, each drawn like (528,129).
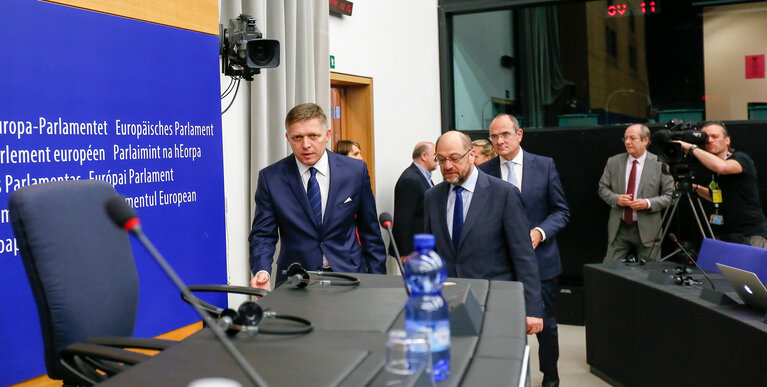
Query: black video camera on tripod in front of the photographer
(677,163)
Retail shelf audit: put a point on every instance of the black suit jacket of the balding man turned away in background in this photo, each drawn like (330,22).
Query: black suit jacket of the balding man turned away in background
(408,207)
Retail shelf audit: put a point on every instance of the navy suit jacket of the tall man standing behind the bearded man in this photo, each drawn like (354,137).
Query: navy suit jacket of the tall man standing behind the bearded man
(545,206)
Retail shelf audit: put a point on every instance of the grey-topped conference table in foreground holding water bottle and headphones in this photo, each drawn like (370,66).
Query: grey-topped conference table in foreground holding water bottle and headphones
(348,344)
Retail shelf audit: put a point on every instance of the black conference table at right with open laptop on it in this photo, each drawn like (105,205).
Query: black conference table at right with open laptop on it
(642,329)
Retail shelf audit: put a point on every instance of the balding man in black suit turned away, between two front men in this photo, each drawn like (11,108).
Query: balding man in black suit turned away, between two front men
(408,196)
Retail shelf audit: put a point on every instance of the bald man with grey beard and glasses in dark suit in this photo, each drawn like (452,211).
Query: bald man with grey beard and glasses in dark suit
(480,226)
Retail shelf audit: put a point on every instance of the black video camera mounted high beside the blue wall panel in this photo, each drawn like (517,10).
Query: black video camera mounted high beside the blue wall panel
(243,51)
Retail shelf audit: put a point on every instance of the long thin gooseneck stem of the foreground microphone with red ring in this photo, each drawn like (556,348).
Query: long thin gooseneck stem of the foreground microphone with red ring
(254,377)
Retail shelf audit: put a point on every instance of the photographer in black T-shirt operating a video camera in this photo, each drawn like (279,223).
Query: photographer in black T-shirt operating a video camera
(732,188)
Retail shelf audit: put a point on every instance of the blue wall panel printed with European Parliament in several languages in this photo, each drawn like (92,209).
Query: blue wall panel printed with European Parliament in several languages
(85,95)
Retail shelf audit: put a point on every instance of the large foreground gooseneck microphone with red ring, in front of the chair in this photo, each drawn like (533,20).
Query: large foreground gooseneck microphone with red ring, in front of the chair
(124,216)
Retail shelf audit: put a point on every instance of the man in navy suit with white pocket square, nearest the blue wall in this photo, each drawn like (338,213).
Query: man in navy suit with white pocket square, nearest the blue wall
(314,201)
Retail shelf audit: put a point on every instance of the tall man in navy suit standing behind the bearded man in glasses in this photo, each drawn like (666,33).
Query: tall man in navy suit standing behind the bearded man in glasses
(547,211)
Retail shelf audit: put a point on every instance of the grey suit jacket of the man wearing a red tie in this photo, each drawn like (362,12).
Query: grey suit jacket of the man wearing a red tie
(653,185)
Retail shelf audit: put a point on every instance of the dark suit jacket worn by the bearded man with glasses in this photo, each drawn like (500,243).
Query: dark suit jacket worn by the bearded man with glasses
(495,240)
